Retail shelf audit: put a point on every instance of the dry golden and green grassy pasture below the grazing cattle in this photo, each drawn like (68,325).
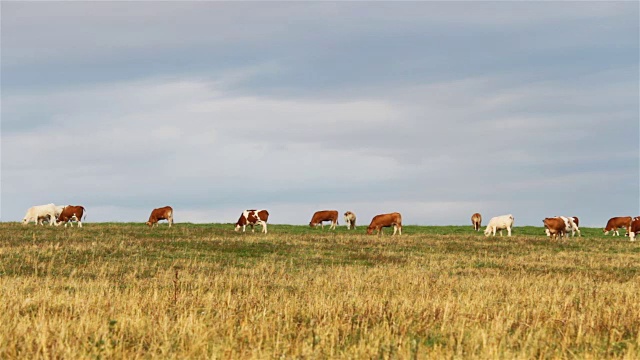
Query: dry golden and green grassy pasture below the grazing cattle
(203,291)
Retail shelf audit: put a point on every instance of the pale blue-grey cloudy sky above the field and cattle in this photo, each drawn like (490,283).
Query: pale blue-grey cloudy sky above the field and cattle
(436,110)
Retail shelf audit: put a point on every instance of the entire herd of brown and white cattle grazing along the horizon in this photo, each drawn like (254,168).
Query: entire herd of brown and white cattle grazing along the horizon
(555,227)
